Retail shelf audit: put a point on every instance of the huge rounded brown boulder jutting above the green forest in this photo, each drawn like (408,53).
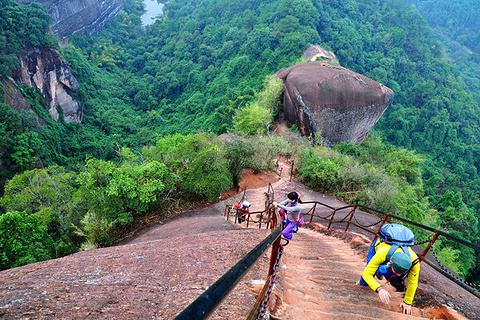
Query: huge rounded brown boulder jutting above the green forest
(331,101)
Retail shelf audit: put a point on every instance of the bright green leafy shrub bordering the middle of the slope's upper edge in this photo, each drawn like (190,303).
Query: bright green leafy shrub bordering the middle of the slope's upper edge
(110,196)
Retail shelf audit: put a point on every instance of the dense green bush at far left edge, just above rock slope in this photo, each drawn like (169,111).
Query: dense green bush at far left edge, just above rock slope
(24,239)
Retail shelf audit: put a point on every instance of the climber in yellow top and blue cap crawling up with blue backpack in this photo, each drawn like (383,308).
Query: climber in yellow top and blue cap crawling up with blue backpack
(391,257)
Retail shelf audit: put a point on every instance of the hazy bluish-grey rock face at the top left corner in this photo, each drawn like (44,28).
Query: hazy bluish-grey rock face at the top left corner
(78,16)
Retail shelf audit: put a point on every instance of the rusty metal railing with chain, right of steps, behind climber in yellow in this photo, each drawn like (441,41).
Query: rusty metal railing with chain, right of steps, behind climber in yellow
(350,219)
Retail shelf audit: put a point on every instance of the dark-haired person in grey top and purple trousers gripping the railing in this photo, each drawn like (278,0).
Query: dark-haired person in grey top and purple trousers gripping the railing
(291,214)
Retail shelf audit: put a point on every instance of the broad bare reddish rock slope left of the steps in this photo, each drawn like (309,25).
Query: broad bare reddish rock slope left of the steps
(154,276)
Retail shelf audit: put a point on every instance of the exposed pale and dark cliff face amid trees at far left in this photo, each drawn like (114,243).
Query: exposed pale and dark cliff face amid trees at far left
(47,71)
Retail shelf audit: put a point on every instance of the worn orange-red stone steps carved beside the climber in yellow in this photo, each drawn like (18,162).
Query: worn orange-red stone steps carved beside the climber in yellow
(317,281)
